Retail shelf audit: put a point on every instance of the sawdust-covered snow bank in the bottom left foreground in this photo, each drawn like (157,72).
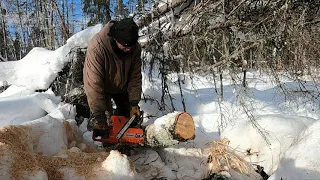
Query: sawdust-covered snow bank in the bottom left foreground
(51,148)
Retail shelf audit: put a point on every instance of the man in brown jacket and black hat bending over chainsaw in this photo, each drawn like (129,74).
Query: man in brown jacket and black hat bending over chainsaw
(112,70)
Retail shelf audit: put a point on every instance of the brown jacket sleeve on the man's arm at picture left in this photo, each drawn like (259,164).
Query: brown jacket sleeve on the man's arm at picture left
(93,78)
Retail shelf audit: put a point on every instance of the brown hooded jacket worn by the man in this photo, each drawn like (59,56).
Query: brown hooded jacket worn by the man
(106,71)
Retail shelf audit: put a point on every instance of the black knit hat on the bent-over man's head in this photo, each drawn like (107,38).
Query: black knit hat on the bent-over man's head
(125,32)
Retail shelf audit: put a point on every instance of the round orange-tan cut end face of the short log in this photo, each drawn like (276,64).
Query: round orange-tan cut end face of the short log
(184,128)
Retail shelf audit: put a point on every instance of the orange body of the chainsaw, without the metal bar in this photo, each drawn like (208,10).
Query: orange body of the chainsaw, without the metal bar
(133,135)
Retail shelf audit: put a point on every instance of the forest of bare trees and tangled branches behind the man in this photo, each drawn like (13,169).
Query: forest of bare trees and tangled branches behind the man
(280,38)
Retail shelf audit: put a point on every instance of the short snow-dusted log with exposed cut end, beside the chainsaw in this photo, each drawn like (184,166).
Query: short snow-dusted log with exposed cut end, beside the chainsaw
(170,129)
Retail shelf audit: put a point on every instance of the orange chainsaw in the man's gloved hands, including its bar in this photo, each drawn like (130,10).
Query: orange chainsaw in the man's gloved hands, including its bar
(123,130)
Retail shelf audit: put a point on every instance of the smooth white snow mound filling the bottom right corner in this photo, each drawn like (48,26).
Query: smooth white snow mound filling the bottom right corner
(301,160)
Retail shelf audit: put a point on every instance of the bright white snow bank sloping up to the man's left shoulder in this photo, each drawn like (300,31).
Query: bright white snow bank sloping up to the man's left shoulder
(40,66)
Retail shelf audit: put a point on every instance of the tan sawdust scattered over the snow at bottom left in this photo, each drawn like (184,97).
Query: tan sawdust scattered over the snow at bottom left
(18,144)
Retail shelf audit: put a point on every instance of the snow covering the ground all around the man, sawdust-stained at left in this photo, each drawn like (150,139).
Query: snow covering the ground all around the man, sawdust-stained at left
(265,126)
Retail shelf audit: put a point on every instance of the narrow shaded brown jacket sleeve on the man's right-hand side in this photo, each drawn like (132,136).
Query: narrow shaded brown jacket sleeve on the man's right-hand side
(135,79)
